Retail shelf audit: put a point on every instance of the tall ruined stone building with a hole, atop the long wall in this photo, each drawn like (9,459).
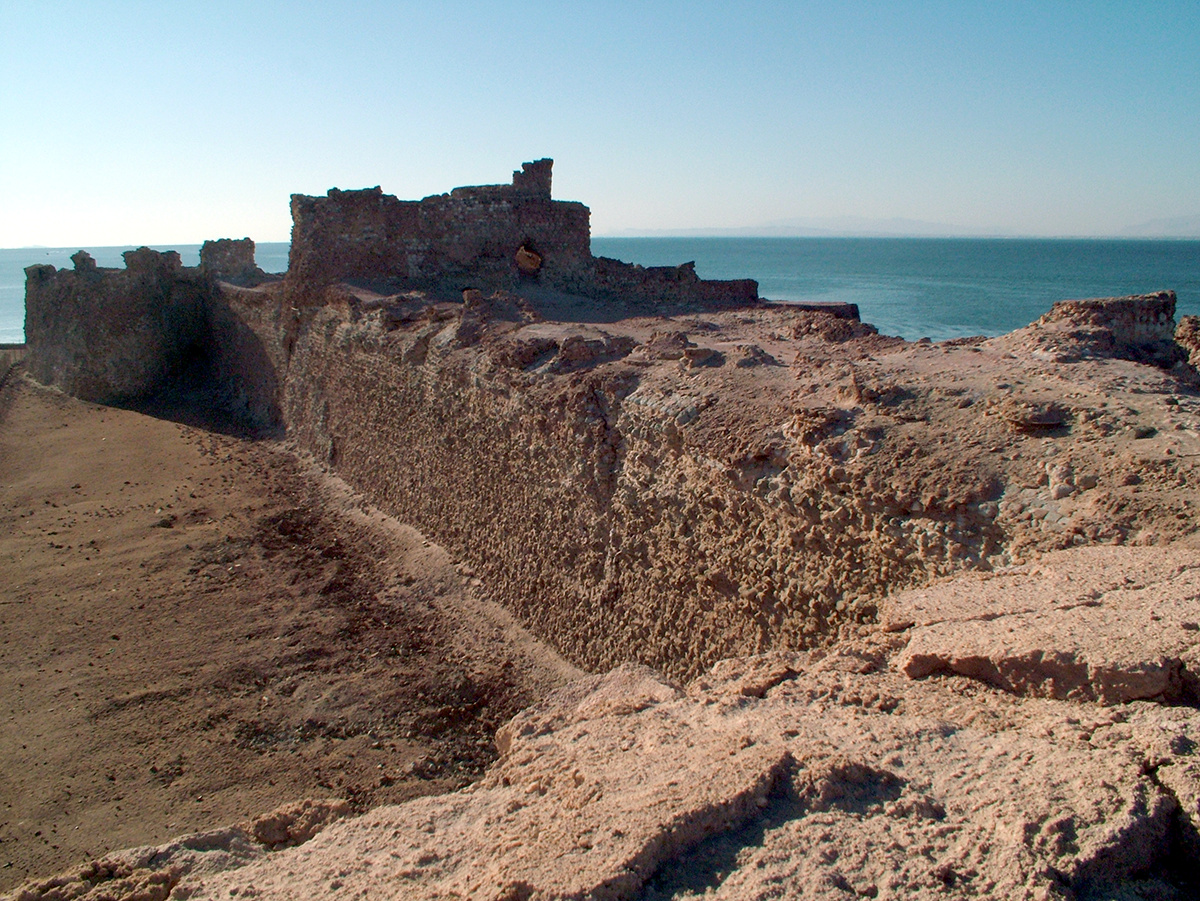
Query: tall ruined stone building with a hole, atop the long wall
(494,237)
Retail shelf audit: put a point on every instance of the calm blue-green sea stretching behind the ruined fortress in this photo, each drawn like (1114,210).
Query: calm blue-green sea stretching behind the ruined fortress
(913,287)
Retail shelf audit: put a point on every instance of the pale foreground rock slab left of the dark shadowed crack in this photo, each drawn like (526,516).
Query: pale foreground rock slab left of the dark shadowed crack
(556,796)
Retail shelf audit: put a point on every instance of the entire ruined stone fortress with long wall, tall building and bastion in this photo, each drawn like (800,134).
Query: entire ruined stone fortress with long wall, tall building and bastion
(640,464)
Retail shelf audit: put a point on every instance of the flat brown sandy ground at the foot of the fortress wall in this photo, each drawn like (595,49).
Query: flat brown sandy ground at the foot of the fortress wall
(197,627)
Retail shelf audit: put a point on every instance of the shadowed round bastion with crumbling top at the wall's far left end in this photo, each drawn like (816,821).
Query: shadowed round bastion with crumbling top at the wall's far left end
(155,329)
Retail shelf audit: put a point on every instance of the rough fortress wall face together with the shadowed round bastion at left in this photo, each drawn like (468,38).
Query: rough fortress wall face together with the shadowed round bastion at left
(577,490)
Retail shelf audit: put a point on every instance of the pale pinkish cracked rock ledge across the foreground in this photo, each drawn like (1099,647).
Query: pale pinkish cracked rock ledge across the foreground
(830,774)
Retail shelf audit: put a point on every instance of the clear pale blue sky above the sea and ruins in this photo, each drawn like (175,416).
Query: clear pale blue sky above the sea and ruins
(130,123)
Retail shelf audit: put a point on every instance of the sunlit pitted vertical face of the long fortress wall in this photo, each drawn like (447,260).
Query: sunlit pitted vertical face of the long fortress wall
(575,500)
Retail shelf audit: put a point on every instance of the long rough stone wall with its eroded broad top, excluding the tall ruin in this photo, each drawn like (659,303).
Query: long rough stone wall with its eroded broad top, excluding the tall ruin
(633,491)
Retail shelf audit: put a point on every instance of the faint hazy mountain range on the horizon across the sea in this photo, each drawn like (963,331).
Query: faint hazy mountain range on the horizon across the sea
(865,227)
